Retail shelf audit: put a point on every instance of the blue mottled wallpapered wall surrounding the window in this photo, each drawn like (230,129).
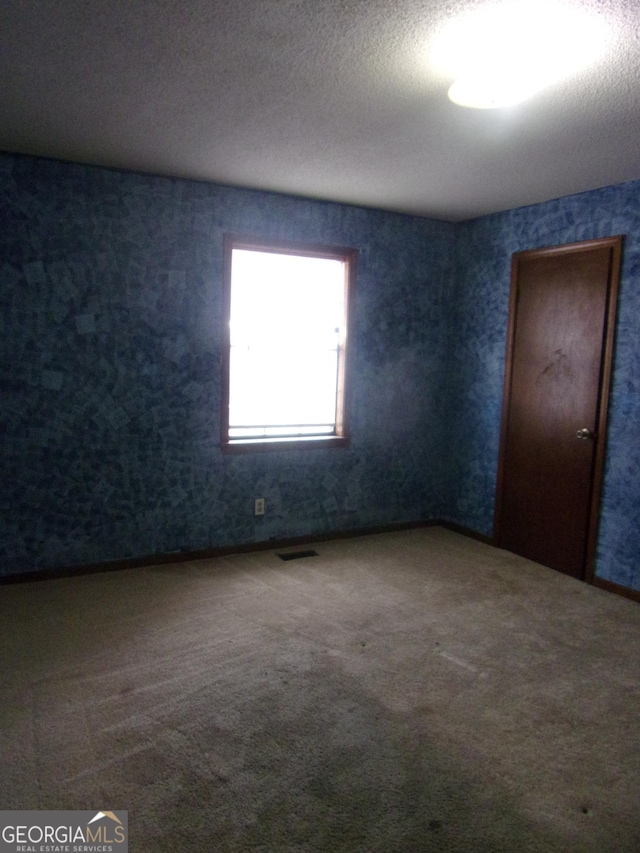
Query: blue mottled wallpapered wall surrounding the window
(110,324)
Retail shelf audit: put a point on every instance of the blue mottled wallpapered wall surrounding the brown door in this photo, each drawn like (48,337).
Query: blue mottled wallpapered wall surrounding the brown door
(478,314)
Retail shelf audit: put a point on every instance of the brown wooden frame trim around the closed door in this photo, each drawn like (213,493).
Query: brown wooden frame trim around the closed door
(615,244)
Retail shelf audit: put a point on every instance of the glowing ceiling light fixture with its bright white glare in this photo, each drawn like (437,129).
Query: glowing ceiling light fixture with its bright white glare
(503,54)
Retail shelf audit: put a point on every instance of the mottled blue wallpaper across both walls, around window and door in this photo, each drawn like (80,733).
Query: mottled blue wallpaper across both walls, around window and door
(110,330)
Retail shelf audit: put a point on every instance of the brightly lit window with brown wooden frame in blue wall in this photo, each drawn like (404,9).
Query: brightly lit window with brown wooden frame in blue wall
(285,353)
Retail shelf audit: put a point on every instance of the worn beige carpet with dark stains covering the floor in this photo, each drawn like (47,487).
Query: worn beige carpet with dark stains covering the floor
(413,691)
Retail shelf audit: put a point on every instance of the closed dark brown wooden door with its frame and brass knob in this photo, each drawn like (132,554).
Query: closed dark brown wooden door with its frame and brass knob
(559,348)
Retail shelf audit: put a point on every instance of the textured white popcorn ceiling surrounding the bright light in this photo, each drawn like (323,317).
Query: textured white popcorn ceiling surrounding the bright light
(332,99)
